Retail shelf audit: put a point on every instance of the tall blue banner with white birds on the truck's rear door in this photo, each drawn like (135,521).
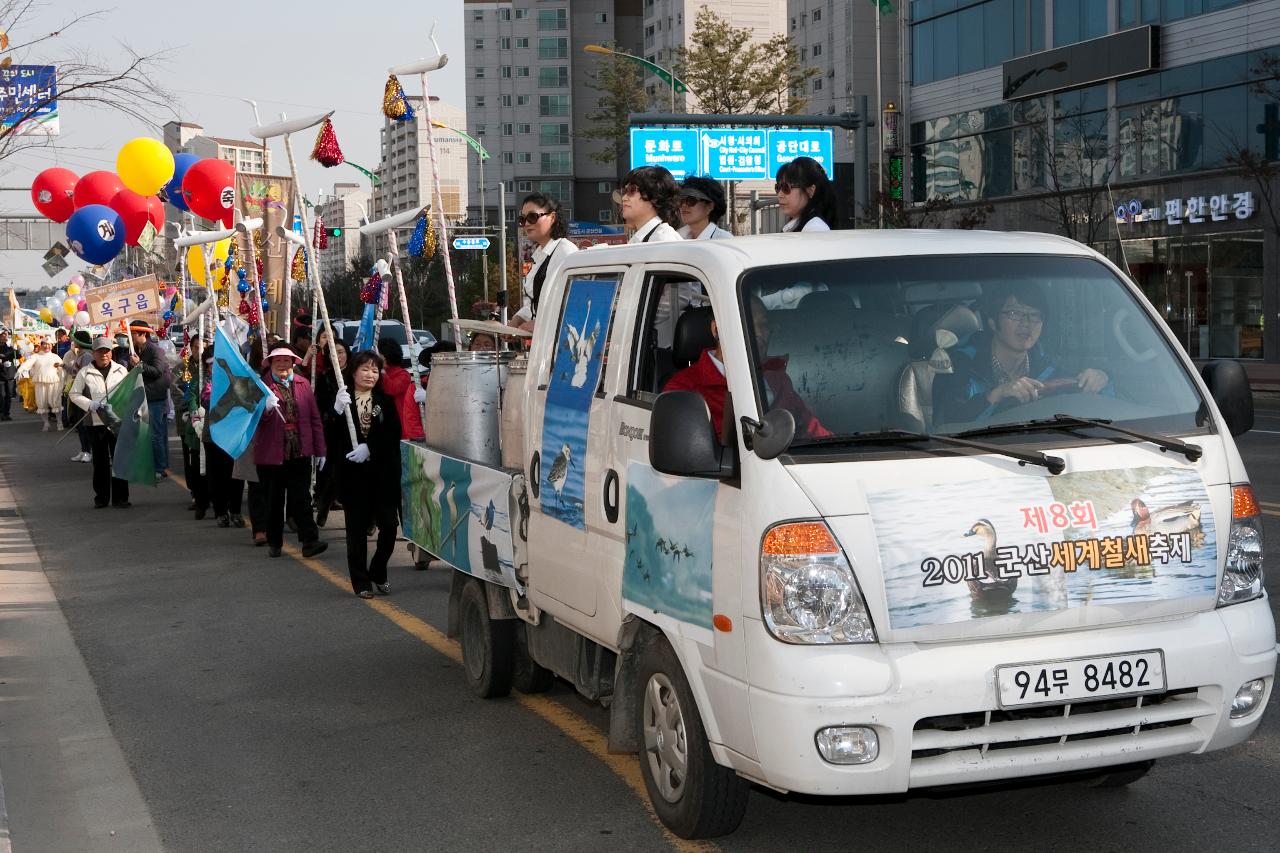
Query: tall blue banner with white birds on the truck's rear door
(575,376)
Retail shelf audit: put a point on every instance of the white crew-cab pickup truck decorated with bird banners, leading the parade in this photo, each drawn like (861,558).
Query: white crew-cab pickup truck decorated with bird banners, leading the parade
(925,509)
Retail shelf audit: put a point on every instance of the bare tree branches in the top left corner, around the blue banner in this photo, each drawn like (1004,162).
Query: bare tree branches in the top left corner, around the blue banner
(124,86)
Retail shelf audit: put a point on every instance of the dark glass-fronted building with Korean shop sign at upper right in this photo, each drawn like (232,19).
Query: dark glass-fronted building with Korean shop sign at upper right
(1023,107)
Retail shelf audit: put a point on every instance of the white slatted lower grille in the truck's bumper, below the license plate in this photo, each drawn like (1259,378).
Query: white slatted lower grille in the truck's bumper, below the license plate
(953,745)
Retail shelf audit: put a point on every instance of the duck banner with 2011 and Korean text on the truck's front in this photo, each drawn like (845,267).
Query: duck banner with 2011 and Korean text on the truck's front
(1039,545)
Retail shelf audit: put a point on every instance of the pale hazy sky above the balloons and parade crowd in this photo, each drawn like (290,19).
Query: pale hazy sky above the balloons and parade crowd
(296,57)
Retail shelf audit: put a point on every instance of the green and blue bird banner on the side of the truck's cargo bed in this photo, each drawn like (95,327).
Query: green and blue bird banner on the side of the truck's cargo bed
(463,513)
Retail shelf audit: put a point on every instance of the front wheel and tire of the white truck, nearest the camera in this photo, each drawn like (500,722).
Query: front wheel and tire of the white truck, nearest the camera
(694,796)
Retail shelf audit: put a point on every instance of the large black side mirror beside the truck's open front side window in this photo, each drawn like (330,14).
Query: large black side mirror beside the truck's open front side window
(682,440)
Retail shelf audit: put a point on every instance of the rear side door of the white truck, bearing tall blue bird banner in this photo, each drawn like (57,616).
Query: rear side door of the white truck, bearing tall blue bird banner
(568,443)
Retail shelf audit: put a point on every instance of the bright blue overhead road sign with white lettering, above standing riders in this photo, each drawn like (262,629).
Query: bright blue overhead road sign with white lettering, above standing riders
(730,154)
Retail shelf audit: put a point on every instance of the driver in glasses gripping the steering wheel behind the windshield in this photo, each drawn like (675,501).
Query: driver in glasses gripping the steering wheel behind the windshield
(1005,366)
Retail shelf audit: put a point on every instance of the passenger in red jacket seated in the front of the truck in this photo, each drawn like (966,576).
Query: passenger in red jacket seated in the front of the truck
(707,377)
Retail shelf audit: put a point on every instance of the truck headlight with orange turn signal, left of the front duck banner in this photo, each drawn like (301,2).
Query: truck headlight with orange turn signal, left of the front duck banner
(808,590)
